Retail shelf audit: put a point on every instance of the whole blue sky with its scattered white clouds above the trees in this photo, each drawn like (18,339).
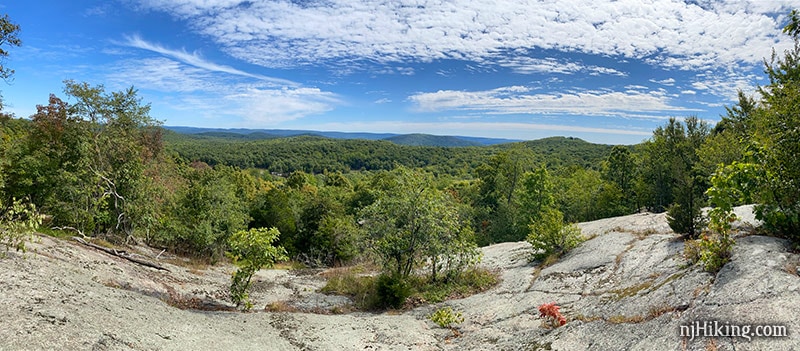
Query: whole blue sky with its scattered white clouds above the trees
(604,71)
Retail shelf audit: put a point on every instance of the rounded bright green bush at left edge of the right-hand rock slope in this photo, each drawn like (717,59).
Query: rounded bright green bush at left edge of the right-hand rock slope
(550,236)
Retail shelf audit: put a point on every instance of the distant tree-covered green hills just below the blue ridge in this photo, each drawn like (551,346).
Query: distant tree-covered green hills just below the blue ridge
(317,154)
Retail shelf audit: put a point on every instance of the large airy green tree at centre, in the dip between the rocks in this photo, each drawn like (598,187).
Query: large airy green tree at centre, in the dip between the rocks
(410,223)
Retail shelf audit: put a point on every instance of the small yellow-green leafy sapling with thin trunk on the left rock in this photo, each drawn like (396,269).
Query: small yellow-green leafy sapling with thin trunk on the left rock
(252,250)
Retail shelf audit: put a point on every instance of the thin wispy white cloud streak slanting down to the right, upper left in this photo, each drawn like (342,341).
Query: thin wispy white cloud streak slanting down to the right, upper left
(196,60)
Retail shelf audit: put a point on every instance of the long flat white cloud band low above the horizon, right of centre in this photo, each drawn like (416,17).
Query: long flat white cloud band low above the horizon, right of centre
(519,100)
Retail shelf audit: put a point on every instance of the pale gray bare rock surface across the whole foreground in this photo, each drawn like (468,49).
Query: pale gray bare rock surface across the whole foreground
(626,288)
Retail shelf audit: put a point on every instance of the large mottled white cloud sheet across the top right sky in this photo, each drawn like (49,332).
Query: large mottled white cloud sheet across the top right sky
(670,33)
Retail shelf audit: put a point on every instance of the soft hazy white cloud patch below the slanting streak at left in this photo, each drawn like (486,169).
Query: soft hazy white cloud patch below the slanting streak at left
(213,94)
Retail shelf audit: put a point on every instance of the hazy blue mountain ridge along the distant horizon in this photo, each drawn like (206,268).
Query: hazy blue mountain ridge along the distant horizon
(400,139)
